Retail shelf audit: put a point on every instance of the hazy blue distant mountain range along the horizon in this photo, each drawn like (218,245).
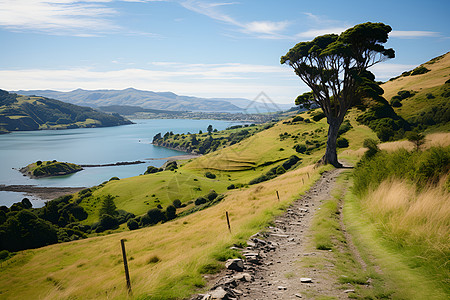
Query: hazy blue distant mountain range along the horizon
(157,100)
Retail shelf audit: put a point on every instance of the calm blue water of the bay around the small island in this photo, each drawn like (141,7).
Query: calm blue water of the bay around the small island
(89,146)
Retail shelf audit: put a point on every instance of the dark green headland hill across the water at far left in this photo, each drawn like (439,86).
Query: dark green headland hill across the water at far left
(19,113)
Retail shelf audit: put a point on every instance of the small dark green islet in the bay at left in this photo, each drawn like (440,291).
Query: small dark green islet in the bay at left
(49,168)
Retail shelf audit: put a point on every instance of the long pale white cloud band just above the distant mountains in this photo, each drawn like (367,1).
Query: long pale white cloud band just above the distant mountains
(202,80)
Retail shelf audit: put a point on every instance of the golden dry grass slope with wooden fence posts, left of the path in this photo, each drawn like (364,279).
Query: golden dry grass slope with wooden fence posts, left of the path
(92,268)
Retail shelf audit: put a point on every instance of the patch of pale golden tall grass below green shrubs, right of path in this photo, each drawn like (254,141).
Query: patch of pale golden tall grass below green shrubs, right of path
(413,218)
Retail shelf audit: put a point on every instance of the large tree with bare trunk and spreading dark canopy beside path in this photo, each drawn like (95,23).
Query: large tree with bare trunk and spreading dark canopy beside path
(335,68)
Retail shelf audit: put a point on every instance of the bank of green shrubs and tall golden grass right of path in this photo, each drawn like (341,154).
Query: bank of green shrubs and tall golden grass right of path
(406,194)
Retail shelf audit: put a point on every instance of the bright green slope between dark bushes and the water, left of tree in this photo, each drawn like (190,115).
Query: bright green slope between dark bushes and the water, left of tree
(236,164)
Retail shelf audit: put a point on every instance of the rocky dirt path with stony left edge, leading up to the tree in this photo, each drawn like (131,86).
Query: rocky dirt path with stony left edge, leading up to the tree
(274,267)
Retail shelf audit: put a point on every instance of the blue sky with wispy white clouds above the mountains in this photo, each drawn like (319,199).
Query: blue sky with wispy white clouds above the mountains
(228,49)
